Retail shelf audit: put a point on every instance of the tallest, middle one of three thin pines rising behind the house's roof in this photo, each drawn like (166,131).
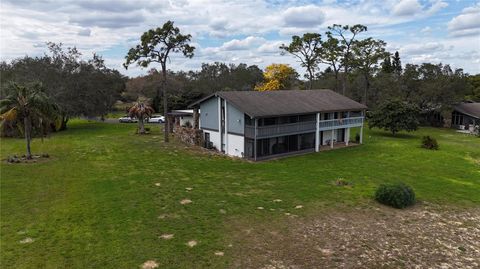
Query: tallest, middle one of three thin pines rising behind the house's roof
(347,35)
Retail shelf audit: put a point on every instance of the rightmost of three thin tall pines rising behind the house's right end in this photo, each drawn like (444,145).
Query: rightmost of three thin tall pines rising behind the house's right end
(367,54)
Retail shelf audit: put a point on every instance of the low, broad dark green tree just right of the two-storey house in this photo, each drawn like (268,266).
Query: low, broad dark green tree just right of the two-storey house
(395,116)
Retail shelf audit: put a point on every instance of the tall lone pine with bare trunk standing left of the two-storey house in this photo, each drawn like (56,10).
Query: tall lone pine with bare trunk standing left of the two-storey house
(156,46)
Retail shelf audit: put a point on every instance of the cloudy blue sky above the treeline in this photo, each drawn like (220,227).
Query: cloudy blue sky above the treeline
(248,31)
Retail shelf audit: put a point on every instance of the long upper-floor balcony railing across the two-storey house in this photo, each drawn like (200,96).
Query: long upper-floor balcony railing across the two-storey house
(301,127)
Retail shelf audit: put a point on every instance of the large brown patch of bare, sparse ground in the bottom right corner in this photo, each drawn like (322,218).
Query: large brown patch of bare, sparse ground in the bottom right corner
(423,236)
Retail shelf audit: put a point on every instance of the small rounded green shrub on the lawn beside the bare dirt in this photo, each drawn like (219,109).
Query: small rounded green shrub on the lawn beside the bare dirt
(396,195)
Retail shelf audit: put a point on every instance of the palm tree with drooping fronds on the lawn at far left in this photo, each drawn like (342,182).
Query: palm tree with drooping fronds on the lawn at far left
(29,106)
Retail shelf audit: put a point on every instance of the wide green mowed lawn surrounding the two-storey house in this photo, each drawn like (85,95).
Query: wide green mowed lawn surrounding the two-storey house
(96,202)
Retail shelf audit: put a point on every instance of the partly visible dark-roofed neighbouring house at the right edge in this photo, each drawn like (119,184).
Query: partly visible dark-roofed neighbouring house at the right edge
(466,116)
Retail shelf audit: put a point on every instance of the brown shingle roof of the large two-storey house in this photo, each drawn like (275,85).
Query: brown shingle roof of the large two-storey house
(288,102)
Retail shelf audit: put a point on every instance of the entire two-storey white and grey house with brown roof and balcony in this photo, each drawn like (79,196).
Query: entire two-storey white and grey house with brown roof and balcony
(261,125)
